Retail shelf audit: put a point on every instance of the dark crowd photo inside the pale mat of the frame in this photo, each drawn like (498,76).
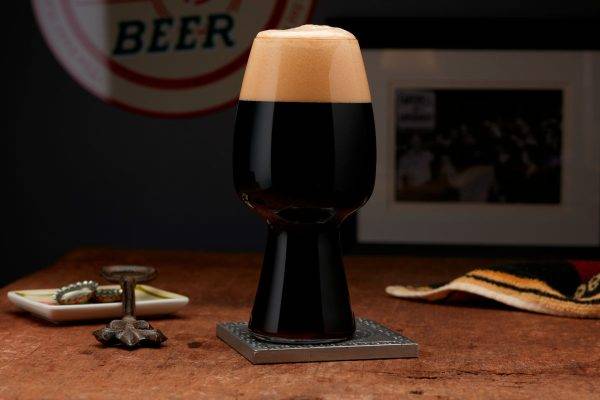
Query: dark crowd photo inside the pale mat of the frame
(478,145)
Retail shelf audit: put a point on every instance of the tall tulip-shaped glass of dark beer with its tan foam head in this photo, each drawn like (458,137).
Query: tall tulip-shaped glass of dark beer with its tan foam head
(304,160)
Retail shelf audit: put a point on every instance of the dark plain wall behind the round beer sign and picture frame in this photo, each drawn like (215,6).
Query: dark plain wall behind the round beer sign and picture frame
(84,173)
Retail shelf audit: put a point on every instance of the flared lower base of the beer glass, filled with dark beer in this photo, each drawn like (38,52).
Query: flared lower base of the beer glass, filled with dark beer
(302,295)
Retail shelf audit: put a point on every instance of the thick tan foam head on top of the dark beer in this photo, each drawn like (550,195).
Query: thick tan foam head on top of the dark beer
(310,63)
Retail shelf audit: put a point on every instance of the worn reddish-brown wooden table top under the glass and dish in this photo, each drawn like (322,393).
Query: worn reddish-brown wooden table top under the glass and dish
(466,352)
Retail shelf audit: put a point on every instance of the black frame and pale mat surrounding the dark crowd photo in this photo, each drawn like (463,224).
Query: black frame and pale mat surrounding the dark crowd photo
(460,63)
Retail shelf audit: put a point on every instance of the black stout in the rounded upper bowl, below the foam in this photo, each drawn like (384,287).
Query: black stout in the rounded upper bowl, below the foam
(303,161)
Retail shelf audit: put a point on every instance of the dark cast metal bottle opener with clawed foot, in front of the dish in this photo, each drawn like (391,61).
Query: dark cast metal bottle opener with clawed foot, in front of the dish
(128,330)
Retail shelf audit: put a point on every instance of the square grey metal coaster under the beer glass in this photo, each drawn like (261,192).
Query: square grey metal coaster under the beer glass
(371,341)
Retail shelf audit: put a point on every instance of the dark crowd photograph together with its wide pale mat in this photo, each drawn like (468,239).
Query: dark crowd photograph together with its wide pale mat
(482,146)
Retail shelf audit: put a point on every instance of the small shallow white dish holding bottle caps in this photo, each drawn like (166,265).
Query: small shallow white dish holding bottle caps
(149,301)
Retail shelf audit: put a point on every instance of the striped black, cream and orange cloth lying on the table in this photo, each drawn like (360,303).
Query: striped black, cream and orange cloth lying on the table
(570,289)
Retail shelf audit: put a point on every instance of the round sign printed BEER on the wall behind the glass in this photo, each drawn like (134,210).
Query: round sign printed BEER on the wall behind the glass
(167,58)
